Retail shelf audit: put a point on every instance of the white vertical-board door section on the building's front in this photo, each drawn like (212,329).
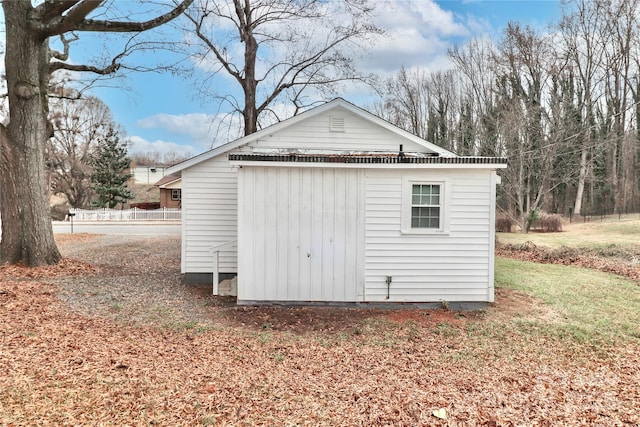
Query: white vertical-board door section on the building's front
(300,234)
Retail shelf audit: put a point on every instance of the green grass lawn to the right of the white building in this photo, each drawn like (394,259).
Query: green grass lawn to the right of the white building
(591,305)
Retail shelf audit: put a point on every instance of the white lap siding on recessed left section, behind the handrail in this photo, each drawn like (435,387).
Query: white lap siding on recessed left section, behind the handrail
(209,205)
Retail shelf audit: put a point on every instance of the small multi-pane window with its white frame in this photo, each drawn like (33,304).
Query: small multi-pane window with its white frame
(424,205)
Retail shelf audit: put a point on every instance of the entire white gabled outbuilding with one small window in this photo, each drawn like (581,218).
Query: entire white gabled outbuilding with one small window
(338,205)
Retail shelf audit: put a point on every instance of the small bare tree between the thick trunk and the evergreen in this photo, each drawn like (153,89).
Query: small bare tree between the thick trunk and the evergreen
(78,126)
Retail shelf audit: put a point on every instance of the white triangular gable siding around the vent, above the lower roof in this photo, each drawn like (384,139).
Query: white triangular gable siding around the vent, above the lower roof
(359,134)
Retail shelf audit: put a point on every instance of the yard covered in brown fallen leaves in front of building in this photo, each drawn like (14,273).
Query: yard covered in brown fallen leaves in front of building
(112,337)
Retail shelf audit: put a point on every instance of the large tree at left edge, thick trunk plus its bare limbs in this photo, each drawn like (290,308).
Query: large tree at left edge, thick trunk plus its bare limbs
(27,235)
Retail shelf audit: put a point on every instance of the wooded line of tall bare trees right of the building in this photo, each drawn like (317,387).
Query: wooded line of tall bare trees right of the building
(563,106)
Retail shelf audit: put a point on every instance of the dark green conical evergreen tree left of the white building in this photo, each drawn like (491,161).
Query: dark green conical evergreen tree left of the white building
(110,176)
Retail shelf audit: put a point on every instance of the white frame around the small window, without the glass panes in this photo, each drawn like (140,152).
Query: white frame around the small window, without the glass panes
(407,187)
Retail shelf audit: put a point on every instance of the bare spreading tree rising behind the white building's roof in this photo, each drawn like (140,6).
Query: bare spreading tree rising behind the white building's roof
(281,49)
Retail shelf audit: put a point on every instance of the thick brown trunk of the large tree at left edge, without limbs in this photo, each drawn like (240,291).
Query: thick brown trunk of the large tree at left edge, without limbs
(27,235)
